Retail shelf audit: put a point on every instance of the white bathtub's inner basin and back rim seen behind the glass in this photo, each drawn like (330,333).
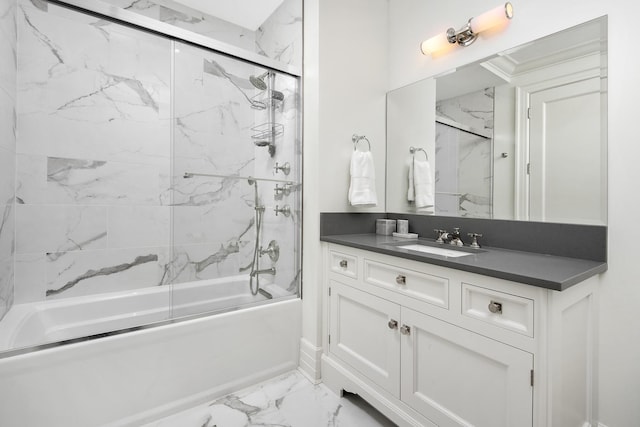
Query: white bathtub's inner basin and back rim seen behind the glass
(51,321)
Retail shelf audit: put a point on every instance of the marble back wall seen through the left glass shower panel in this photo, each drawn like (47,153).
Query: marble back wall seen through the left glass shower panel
(93,155)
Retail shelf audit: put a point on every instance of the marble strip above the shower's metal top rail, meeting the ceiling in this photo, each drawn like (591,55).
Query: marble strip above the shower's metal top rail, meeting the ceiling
(279,37)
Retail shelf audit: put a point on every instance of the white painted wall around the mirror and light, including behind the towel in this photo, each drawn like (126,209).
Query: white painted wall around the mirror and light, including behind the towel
(346,81)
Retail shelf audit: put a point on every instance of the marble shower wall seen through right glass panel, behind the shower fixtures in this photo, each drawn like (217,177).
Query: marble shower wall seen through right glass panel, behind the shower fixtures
(214,217)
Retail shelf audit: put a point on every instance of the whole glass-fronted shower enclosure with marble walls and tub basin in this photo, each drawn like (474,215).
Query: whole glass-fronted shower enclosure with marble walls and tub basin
(148,178)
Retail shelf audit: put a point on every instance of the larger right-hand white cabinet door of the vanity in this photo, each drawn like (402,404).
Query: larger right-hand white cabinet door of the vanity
(456,377)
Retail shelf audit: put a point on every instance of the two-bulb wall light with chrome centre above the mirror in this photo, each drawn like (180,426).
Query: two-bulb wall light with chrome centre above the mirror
(468,34)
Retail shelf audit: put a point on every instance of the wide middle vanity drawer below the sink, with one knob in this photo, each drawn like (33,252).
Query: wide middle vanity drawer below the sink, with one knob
(431,289)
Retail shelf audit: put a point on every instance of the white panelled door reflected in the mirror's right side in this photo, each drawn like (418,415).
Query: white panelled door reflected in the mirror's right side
(566,156)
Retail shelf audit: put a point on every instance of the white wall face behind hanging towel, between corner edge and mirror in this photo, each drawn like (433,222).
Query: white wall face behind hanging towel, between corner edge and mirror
(352,71)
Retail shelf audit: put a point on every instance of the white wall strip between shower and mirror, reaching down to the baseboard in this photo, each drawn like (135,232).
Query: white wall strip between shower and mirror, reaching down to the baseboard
(345,84)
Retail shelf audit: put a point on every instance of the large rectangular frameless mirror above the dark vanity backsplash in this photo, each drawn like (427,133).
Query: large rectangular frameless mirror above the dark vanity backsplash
(519,135)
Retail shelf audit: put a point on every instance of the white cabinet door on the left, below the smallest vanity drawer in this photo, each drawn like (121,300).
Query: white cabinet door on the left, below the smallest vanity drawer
(360,334)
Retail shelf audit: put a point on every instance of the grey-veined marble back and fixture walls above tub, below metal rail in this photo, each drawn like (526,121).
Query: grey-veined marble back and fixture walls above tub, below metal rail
(102,202)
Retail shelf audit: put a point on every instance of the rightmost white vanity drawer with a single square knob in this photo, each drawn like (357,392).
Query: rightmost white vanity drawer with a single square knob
(504,310)
